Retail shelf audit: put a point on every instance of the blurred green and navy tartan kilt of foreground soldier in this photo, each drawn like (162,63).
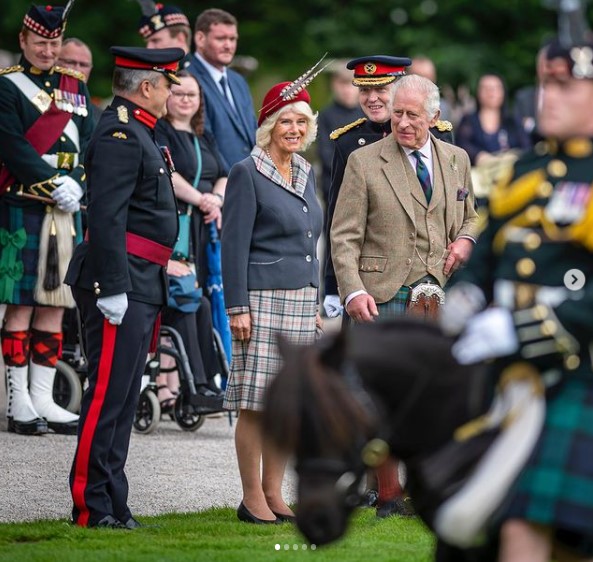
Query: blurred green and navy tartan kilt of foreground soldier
(556,486)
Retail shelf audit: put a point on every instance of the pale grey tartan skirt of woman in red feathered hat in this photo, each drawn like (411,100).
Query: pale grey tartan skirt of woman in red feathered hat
(255,362)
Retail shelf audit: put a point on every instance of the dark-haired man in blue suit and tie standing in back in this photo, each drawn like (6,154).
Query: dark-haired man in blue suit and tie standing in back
(229,106)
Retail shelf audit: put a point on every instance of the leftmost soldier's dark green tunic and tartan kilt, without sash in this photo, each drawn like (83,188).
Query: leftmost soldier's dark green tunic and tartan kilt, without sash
(20,219)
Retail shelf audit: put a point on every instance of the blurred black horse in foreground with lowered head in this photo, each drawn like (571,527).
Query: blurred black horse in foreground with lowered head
(346,402)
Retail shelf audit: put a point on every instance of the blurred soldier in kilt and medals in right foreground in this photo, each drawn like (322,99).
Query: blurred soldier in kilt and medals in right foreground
(533,269)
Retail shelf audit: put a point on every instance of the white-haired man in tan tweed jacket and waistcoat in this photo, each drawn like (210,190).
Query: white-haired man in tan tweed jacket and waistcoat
(389,231)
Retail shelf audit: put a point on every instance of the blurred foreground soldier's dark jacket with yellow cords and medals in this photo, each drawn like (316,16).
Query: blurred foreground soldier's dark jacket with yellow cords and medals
(540,227)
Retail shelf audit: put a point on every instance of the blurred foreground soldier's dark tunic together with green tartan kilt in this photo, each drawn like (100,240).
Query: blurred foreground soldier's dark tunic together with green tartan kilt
(540,227)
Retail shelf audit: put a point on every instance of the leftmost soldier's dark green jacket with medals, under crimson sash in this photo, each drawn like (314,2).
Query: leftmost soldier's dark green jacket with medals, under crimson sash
(18,114)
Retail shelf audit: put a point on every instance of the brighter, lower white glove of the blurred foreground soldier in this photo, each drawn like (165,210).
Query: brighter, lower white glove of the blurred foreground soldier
(488,335)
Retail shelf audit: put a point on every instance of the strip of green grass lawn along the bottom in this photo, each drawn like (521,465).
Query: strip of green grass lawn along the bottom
(215,536)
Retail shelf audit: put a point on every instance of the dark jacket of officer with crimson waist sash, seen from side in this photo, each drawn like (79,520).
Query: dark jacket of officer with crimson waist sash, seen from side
(129,190)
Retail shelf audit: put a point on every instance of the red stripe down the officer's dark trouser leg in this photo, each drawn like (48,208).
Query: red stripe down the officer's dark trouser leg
(81,470)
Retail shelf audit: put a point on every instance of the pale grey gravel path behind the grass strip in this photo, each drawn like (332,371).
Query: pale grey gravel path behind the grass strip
(169,470)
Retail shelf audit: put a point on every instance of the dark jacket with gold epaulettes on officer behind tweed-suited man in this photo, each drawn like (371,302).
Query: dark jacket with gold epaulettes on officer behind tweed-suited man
(361,132)
